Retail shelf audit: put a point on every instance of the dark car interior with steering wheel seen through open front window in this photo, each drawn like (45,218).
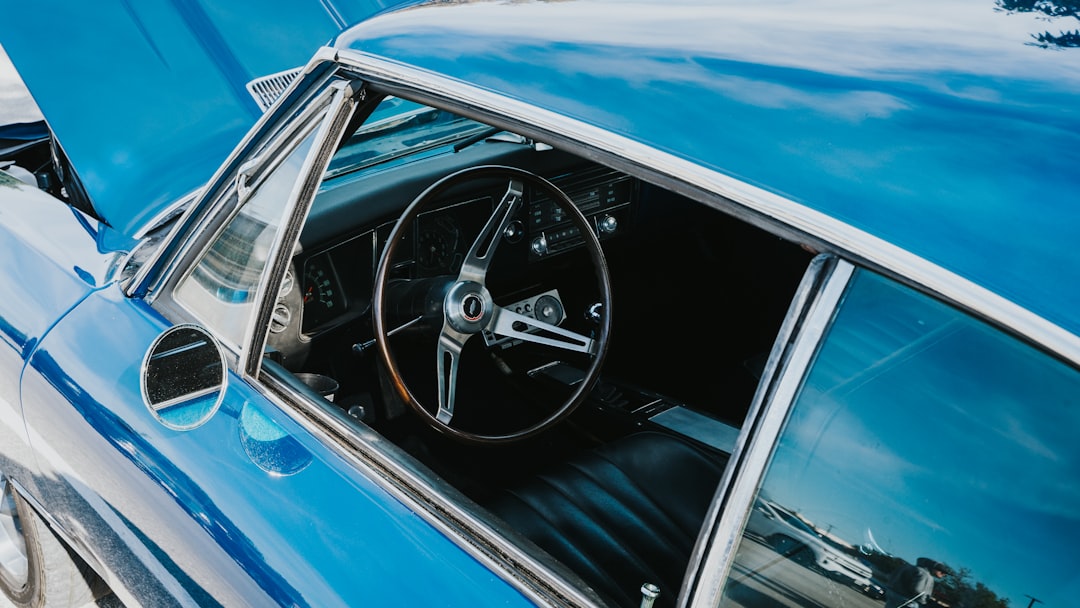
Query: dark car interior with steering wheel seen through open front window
(614,481)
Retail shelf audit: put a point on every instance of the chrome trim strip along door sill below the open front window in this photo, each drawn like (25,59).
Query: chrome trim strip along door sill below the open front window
(429,497)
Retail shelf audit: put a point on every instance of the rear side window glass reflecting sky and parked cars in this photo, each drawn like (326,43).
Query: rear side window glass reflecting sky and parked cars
(928,461)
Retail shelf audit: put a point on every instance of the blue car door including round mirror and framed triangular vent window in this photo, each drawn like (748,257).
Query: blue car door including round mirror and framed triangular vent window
(188,485)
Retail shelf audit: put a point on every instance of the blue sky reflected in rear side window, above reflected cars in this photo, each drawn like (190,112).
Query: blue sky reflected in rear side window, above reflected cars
(933,435)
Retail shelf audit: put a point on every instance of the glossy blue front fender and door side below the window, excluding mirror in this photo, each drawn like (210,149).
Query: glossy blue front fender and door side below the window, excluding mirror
(142,497)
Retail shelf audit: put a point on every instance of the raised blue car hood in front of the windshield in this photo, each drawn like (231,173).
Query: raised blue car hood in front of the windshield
(148,99)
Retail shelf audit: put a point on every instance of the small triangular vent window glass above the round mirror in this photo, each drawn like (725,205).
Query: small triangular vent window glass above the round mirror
(222,288)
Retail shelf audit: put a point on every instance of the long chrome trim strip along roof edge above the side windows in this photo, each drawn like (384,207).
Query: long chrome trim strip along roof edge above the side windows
(764,209)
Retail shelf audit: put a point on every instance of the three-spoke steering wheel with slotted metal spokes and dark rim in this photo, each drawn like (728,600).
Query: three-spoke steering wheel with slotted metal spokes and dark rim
(462,307)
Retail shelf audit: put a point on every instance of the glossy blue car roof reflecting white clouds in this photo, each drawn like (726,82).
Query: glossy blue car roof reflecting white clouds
(937,126)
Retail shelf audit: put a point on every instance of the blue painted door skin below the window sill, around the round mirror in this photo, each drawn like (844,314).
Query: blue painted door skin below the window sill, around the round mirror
(235,533)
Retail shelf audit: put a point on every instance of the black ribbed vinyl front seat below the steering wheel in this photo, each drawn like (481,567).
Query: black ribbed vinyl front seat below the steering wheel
(622,516)
